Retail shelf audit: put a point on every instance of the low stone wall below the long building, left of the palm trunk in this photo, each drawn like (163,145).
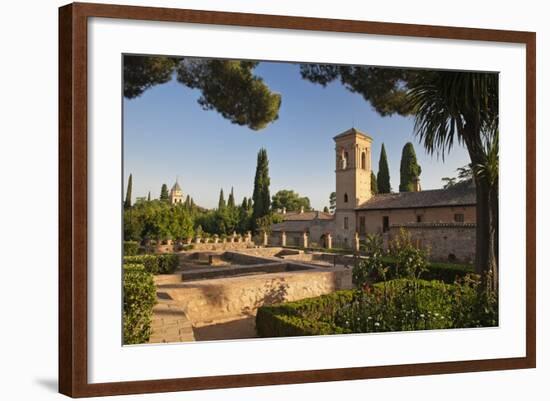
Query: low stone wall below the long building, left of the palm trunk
(445,241)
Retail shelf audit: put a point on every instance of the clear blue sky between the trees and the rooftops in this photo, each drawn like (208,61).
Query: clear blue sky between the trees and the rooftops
(167,134)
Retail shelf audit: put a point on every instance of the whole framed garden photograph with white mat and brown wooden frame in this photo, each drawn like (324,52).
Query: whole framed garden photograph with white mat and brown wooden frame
(296,199)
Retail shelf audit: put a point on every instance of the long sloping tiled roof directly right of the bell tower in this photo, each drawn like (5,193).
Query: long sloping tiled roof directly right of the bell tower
(462,194)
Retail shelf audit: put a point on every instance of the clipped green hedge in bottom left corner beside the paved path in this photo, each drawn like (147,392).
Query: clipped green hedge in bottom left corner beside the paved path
(139,299)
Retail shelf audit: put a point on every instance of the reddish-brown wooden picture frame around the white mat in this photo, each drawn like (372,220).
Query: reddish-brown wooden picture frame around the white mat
(73,205)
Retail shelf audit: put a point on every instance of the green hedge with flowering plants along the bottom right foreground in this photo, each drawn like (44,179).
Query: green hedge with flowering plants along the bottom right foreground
(395,305)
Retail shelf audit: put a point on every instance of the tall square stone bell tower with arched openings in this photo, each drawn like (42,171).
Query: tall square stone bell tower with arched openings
(353,172)
